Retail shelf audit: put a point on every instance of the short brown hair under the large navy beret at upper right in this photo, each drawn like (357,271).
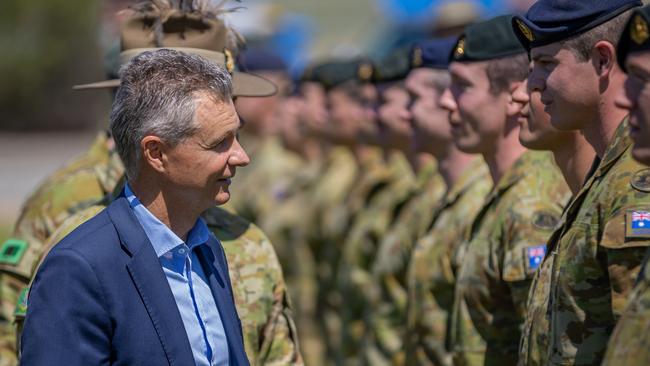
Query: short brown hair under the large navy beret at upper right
(610,31)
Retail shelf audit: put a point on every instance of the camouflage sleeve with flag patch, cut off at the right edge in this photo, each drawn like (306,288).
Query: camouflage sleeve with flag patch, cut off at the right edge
(624,244)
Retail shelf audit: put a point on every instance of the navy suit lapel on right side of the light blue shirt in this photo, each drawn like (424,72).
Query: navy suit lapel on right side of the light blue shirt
(215,267)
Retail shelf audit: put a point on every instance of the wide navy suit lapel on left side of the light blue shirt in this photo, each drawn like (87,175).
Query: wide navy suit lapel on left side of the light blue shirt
(151,283)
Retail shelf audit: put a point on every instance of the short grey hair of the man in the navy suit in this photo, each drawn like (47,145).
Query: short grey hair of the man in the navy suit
(158,96)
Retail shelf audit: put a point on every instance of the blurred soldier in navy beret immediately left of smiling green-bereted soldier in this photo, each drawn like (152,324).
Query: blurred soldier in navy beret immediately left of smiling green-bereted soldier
(429,276)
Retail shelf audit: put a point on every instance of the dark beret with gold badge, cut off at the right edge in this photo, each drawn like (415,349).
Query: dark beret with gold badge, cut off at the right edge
(636,36)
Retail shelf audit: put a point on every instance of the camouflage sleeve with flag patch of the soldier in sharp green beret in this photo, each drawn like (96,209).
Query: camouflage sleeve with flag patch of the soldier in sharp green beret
(530,225)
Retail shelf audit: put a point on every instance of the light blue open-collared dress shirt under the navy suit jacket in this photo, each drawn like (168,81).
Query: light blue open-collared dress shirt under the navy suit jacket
(188,283)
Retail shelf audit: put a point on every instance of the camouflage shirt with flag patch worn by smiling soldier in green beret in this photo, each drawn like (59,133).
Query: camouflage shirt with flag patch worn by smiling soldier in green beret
(506,242)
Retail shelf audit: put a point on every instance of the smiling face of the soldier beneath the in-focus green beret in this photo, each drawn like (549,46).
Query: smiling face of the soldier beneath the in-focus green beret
(477,115)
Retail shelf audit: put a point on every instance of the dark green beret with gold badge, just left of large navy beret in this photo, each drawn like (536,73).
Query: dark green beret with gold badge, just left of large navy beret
(487,40)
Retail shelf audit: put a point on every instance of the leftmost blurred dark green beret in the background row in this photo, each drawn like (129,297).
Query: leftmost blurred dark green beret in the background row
(334,73)
